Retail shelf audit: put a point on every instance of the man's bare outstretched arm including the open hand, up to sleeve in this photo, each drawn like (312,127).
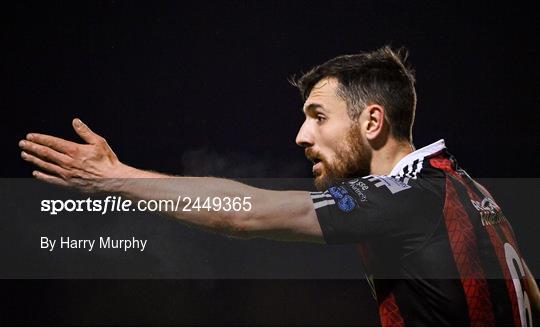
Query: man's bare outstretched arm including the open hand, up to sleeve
(93,167)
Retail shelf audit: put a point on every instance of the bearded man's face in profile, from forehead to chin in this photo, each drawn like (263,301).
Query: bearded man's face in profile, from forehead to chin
(332,140)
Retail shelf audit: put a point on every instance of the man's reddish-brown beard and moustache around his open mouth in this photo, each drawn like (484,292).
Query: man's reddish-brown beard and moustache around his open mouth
(351,159)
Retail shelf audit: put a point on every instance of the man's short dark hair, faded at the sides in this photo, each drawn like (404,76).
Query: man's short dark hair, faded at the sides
(378,77)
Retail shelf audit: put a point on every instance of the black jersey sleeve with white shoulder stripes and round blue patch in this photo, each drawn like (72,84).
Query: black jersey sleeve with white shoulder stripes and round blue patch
(376,206)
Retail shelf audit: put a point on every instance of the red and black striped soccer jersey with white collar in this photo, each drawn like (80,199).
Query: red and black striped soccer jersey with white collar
(435,245)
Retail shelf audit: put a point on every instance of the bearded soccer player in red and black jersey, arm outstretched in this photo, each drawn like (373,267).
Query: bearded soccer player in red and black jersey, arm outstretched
(436,246)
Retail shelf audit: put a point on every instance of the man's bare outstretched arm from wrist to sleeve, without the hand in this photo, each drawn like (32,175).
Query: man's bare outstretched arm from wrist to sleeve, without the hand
(276,215)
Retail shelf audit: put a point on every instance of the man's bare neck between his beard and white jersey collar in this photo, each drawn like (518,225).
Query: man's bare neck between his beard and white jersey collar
(384,159)
